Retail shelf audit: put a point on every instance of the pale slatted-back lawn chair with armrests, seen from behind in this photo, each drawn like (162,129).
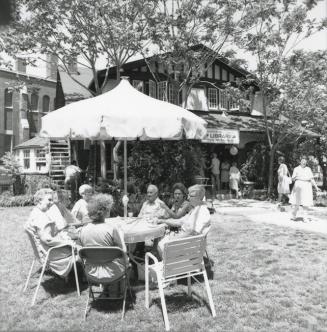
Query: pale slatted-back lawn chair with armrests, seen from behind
(182,258)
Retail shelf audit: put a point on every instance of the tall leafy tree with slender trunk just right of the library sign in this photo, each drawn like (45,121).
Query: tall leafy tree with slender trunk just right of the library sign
(279,27)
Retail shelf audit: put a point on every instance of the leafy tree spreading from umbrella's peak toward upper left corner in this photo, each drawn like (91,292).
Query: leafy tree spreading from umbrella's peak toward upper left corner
(83,31)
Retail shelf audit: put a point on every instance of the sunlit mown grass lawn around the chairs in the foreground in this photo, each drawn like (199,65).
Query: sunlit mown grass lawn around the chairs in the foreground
(265,278)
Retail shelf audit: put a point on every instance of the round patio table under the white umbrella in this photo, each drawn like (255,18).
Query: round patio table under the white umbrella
(138,229)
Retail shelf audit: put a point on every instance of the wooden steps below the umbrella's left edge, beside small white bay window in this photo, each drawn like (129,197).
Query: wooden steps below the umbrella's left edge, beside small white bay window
(60,158)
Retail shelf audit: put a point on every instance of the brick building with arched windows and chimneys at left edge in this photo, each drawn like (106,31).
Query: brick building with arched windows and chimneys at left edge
(24,99)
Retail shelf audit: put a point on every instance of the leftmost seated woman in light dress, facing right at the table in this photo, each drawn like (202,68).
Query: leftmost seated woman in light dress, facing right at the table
(47,235)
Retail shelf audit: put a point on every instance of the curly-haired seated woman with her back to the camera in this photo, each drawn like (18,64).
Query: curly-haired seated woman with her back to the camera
(97,233)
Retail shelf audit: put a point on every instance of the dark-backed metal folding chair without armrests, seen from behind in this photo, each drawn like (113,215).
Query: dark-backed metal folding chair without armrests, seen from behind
(98,257)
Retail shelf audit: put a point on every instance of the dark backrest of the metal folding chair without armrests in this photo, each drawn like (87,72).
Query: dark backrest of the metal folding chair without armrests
(100,255)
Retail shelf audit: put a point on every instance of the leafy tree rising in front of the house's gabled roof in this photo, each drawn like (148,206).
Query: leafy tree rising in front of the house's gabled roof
(179,25)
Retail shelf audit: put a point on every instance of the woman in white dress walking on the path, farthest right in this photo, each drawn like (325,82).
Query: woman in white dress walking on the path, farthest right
(302,189)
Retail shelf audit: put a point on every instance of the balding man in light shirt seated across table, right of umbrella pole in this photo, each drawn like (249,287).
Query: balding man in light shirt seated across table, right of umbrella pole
(153,206)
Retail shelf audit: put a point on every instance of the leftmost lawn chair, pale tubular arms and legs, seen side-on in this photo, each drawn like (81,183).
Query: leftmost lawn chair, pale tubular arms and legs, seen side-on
(50,254)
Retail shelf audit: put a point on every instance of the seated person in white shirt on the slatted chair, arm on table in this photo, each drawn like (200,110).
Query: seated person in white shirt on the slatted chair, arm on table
(196,222)
